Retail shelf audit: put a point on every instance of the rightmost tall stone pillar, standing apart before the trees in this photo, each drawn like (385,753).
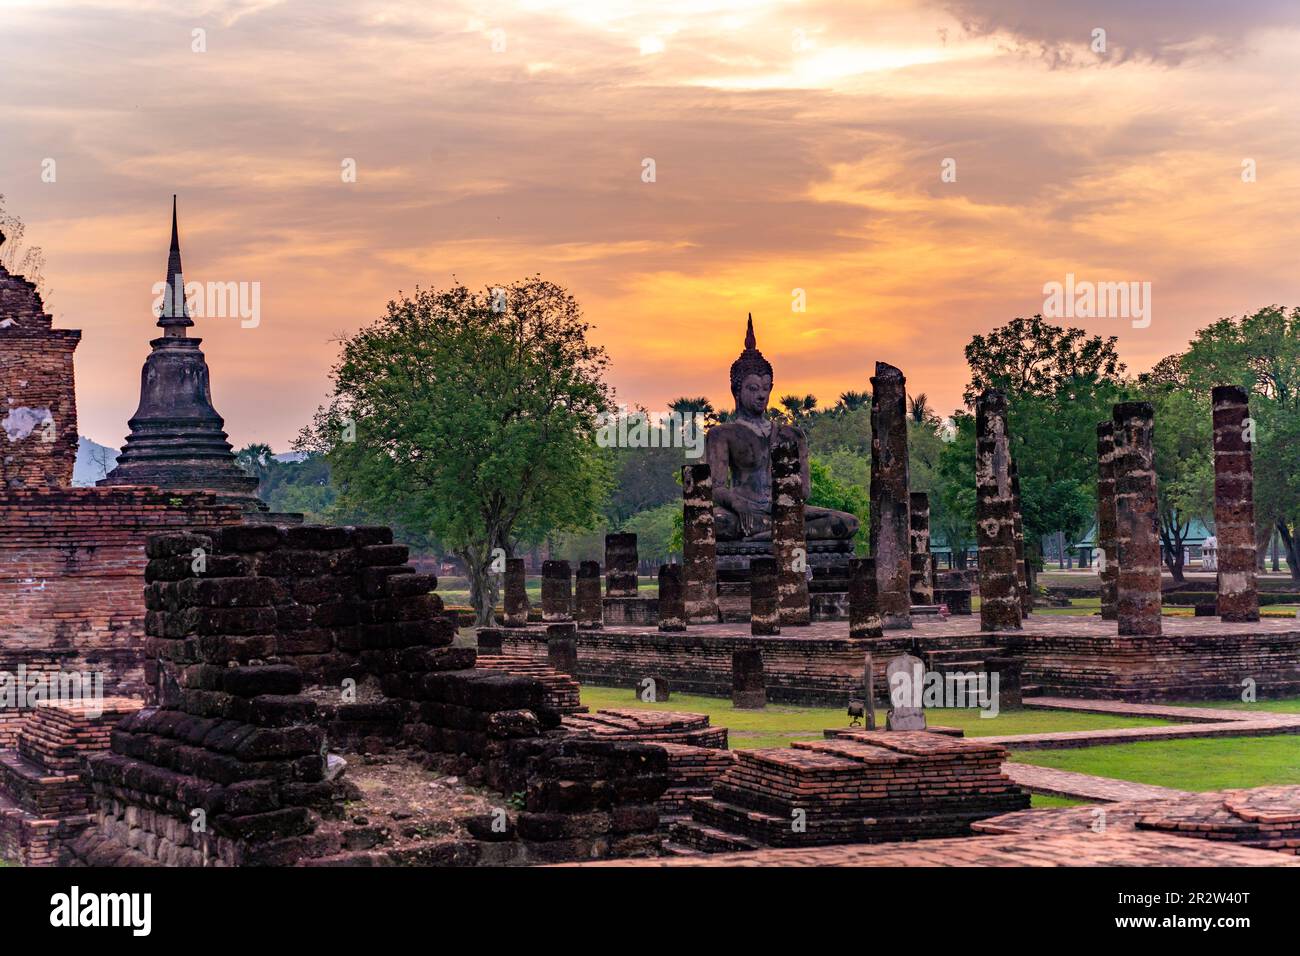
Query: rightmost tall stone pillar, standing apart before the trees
(1234,505)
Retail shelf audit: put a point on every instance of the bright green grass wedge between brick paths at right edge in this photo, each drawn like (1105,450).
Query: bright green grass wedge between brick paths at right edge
(1206,764)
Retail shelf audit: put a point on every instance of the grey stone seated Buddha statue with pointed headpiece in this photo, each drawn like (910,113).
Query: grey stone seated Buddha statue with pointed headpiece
(740,461)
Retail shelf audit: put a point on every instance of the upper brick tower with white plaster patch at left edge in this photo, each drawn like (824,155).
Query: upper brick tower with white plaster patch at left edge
(38,405)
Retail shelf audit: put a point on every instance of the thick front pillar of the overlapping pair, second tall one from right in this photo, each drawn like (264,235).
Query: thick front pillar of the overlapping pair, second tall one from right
(1137,514)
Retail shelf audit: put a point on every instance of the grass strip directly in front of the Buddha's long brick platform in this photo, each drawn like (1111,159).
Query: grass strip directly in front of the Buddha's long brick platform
(779,725)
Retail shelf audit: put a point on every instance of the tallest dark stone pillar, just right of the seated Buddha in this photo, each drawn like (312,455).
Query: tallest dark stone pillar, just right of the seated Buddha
(891,511)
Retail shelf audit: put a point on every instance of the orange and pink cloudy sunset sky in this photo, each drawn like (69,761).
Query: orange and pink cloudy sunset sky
(796,146)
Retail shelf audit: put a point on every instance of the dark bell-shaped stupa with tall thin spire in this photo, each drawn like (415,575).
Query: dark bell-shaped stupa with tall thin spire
(179,440)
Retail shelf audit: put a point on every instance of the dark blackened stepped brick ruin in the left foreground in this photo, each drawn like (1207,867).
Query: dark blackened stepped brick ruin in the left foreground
(249,715)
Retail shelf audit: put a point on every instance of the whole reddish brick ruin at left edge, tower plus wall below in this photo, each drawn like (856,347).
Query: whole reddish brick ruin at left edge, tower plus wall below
(72,560)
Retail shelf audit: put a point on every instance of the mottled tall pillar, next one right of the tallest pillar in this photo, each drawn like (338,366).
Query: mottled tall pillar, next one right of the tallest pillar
(995,517)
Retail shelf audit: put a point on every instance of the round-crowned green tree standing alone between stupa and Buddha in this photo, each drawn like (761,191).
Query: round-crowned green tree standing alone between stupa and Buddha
(471,416)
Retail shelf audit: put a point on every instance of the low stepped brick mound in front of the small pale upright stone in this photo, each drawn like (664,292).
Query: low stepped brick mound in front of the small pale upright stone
(863,788)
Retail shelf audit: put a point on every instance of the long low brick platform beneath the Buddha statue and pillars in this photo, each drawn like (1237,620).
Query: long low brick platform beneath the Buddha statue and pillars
(820,665)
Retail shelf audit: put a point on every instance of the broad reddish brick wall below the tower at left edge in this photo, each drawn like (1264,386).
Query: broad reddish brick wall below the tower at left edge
(72,570)
